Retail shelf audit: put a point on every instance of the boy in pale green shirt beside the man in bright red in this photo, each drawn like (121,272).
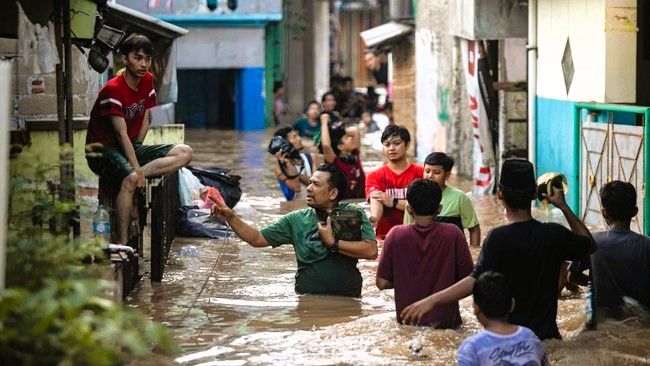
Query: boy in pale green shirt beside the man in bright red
(456,207)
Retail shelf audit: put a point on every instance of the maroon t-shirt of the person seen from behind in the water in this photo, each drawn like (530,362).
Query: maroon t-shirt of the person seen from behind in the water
(422,260)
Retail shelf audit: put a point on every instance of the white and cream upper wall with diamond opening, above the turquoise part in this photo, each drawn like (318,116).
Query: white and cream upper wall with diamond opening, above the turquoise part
(604,58)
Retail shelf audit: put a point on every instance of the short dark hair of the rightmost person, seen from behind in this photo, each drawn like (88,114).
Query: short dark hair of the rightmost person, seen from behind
(619,200)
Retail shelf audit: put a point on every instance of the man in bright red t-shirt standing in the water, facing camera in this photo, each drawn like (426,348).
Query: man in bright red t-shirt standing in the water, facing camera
(386,186)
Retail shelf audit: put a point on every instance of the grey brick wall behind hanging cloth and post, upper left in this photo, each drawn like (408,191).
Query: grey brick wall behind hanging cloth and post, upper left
(85,84)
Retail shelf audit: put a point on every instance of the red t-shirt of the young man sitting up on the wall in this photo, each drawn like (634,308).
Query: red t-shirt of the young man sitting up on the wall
(116,98)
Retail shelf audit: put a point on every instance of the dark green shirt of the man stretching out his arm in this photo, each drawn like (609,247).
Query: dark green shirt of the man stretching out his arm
(319,270)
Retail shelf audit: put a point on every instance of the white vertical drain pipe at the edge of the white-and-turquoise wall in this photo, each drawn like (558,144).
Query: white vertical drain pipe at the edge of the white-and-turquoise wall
(532,80)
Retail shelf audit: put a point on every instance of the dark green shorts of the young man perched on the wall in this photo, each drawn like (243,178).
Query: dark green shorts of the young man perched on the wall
(110,162)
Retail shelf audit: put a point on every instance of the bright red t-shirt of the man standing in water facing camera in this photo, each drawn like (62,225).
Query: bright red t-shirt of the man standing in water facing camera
(385,180)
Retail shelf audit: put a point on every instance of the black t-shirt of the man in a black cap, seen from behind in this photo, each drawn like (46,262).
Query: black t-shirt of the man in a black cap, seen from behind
(529,254)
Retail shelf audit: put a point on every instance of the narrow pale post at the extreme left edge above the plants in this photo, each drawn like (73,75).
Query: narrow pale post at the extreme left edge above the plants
(5,89)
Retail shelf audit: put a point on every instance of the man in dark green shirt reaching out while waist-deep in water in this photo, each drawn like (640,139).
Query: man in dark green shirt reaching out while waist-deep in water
(325,265)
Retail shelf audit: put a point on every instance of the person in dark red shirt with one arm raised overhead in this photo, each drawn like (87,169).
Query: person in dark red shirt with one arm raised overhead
(340,147)
